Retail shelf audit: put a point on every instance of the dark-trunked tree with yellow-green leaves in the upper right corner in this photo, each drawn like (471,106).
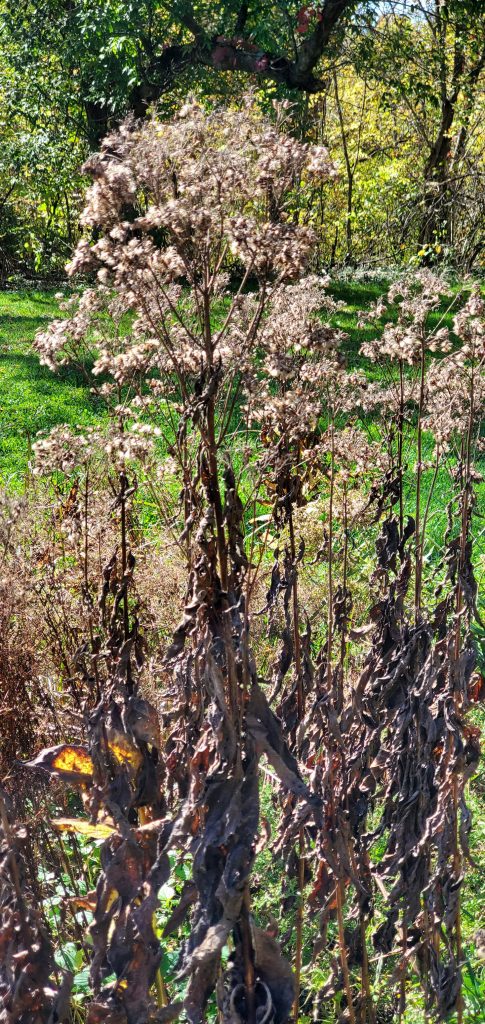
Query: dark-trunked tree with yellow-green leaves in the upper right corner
(431,56)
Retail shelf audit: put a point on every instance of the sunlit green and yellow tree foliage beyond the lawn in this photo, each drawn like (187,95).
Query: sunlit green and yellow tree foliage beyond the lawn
(69,74)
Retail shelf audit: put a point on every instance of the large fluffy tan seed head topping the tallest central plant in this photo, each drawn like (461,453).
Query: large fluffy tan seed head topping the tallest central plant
(178,215)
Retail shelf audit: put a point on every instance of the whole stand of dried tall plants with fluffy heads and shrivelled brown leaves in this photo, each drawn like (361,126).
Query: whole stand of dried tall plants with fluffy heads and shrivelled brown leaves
(231,406)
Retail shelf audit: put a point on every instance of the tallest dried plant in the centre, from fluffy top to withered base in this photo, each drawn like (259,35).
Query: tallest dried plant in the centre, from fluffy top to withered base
(203,191)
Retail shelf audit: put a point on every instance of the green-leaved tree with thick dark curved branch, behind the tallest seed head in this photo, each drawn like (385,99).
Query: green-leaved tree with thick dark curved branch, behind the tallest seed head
(124,57)
